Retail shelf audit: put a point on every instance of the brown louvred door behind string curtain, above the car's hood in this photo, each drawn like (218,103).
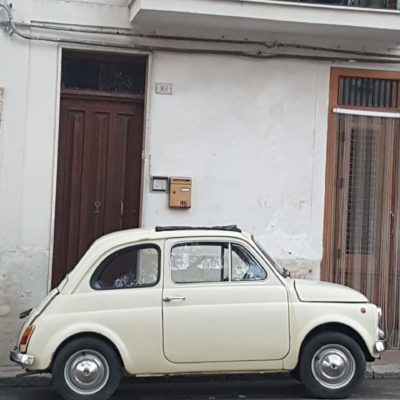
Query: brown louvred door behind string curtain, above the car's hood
(366,210)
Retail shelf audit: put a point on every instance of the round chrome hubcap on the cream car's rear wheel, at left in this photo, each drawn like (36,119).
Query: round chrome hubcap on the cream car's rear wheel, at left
(86,372)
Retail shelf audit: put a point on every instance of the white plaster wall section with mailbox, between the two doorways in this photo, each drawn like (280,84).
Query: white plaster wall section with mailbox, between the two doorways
(252,135)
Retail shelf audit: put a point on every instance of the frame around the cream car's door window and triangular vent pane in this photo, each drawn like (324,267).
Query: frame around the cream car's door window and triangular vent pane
(218,241)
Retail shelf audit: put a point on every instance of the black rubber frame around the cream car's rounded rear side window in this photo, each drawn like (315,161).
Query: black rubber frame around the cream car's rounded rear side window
(105,262)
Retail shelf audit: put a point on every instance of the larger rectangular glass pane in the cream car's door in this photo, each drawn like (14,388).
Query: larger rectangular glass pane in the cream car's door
(199,262)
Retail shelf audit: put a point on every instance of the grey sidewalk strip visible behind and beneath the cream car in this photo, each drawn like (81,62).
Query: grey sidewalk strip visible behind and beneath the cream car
(386,368)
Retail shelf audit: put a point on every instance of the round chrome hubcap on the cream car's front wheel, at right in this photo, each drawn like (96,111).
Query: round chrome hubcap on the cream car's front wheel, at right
(333,366)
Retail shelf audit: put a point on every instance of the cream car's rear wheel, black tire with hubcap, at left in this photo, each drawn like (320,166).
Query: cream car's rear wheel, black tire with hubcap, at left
(86,368)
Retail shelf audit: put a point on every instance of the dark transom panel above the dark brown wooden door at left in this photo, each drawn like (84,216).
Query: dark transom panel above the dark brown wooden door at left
(103,76)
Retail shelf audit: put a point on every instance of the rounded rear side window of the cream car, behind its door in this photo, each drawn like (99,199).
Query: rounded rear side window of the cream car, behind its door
(131,267)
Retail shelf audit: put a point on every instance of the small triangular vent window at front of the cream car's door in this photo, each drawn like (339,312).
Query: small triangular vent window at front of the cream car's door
(244,266)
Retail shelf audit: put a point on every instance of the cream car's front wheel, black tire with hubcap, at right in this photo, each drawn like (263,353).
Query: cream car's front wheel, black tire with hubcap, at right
(332,365)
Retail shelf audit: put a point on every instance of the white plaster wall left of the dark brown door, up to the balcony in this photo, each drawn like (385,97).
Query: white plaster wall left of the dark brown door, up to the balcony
(29,73)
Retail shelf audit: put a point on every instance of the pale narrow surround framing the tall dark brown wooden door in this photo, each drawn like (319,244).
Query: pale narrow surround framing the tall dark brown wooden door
(145,140)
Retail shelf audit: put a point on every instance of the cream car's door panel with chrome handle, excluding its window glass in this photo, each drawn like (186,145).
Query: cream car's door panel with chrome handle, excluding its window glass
(225,321)
